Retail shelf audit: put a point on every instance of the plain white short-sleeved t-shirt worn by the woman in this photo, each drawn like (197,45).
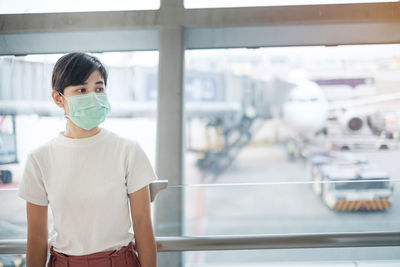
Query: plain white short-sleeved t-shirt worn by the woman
(86,181)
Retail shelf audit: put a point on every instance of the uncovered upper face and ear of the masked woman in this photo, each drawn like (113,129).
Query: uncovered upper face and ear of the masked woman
(94,83)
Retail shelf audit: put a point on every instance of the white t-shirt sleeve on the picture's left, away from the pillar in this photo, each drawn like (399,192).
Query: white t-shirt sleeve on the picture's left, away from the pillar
(32,187)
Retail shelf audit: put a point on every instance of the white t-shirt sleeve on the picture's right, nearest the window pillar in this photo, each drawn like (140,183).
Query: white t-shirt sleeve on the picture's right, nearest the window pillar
(139,171)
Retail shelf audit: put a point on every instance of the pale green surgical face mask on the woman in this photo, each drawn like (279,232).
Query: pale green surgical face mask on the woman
(88,110)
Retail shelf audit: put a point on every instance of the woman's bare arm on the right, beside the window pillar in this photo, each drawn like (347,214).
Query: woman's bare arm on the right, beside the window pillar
(143,229)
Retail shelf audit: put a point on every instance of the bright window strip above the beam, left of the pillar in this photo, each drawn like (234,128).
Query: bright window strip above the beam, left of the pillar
(46,6)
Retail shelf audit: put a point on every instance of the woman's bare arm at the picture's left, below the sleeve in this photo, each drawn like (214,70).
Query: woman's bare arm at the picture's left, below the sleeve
(36,252)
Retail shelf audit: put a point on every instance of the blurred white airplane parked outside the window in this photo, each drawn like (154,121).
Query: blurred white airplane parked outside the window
(307,113)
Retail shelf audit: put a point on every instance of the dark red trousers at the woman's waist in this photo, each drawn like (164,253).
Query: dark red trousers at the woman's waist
(125,257)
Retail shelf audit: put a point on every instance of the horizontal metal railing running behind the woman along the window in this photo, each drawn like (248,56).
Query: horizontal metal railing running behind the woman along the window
(189,243)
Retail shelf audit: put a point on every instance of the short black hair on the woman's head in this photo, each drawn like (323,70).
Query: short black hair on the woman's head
(74,69)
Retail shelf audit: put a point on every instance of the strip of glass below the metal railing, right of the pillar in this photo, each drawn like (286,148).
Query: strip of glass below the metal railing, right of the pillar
(331,257)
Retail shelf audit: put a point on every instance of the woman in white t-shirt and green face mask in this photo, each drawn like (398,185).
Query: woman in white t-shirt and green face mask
(90,177)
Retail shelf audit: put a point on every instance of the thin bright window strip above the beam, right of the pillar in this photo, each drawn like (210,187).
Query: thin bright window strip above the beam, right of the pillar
(242,3)
